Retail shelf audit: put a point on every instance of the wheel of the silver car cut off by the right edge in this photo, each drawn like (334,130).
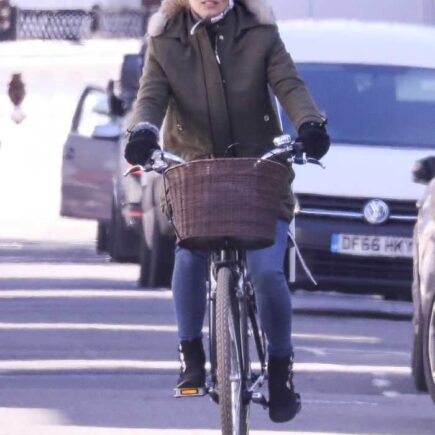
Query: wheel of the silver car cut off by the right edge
(429,348)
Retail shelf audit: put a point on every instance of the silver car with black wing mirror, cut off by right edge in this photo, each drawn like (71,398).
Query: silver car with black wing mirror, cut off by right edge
(423,355)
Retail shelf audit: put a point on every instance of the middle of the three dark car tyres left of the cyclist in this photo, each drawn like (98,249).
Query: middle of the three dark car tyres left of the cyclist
(121,238)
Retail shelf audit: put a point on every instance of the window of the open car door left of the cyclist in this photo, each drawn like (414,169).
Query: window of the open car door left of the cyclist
(94,113)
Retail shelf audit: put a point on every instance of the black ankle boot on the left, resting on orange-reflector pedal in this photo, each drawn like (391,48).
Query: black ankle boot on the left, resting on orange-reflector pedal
(192,357)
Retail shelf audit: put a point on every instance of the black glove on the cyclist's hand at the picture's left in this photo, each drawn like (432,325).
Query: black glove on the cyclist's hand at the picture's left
(140,147)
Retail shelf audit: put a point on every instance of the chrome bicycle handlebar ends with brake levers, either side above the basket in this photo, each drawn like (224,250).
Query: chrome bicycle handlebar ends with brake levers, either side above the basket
(285,148)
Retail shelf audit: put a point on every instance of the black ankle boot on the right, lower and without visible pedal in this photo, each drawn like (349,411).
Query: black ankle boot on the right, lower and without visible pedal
(284,402)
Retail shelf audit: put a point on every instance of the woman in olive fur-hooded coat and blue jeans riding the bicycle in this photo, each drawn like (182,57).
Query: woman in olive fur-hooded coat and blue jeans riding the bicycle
(208,70)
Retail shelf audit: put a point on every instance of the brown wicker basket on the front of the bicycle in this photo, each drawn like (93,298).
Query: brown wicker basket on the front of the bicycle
(220,203)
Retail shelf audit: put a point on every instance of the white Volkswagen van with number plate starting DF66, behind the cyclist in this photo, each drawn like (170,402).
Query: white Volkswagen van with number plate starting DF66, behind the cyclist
(376,85)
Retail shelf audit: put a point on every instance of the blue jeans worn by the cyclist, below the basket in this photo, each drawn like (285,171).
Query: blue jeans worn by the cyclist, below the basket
(266,268)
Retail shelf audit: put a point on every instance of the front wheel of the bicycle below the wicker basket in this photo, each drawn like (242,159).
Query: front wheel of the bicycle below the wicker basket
(234,408)
